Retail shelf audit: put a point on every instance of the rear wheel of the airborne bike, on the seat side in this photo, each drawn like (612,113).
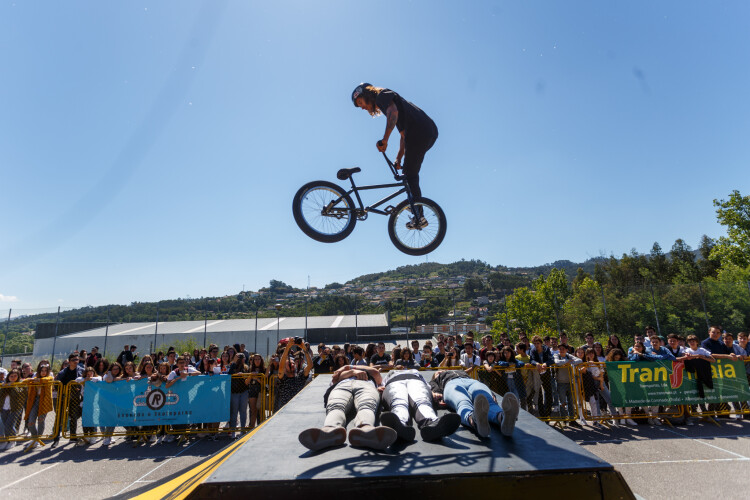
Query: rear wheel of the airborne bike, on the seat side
(324,211)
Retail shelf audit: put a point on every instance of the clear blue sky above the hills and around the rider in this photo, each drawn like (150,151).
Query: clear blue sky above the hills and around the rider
(151,150)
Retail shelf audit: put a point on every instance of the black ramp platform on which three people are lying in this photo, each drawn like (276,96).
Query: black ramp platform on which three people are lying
(274,458)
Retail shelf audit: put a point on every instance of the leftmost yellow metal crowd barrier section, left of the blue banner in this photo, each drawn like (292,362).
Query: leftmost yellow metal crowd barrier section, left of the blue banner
(22,398)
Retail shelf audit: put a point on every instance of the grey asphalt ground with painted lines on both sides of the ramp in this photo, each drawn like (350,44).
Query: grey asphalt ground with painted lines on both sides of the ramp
(702,461)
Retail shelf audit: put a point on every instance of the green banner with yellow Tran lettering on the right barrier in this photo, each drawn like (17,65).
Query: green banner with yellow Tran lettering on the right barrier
(652,383)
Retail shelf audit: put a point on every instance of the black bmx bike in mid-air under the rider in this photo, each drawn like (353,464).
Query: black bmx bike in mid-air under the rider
(326,212)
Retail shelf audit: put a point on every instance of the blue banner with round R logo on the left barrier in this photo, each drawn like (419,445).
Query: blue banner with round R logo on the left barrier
(194,400)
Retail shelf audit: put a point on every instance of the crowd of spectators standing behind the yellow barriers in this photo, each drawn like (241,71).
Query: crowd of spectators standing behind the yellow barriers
(536,370)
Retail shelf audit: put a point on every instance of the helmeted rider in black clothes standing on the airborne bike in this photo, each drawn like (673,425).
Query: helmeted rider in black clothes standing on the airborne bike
(418,132)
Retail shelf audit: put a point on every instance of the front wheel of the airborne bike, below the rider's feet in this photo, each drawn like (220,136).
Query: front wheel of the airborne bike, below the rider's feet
(420,238)
